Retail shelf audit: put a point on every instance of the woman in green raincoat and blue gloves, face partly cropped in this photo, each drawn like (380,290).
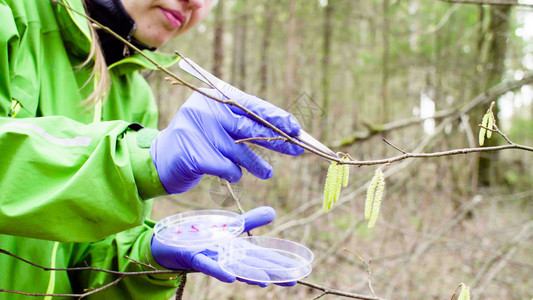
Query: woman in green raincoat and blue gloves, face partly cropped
(79,161)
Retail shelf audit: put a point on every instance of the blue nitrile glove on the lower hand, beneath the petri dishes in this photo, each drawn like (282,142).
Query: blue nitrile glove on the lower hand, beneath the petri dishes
(205,259)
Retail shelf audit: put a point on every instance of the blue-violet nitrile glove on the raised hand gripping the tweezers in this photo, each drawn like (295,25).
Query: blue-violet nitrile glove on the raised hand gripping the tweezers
(201,140)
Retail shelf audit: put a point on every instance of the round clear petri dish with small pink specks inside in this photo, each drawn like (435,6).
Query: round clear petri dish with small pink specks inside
(200,228)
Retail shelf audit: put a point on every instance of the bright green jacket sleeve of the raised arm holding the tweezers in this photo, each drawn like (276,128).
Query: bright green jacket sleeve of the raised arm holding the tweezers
(63,180)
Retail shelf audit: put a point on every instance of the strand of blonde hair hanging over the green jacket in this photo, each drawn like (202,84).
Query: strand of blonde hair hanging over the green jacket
(99,72)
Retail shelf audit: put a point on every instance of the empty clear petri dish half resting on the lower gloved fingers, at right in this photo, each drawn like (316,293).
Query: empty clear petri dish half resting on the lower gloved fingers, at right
(265,259)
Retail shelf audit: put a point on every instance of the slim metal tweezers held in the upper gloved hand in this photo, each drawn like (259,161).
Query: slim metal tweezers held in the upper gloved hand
(195,70)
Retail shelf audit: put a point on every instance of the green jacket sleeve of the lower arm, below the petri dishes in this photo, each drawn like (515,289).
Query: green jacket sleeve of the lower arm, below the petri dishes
(109,254)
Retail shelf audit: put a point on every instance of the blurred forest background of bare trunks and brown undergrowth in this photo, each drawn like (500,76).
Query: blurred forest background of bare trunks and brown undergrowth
(354,72)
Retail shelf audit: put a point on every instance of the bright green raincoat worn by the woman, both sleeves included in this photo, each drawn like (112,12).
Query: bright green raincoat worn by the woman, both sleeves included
(72,191)
